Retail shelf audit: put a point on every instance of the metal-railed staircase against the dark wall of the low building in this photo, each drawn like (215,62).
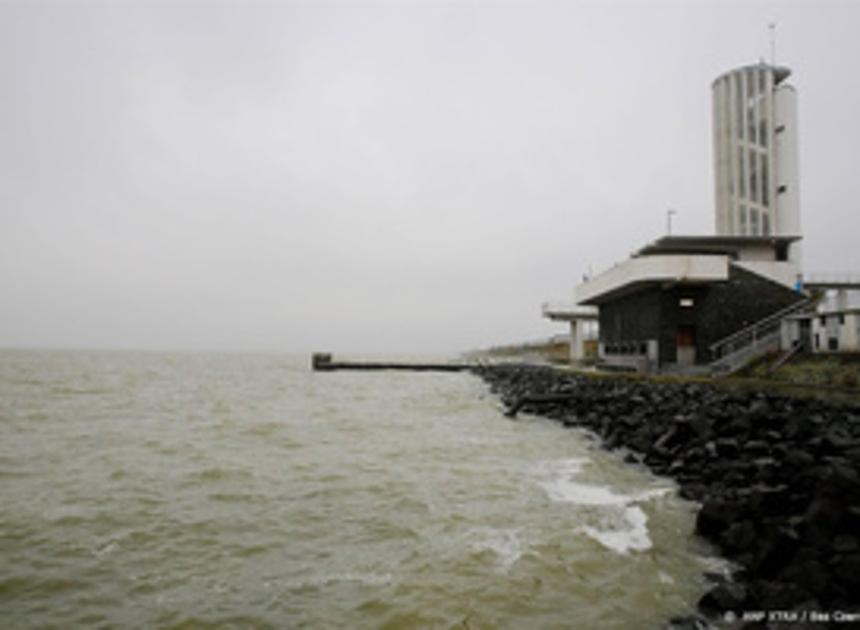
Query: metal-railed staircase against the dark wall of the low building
(740,348)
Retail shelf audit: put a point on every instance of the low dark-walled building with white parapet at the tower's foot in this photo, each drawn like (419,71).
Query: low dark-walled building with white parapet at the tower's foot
(683,302)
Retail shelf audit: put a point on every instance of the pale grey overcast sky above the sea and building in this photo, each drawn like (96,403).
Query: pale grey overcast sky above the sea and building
(387,176)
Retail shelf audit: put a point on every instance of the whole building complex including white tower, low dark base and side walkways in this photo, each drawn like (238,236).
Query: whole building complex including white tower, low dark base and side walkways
(712,303)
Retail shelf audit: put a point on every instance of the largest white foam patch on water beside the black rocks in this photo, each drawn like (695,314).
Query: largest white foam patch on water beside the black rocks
(613,519)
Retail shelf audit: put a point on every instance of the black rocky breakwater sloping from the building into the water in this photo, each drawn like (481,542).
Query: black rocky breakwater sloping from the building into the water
(778,478)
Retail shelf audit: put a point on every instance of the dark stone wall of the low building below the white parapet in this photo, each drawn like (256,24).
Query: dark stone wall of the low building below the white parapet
(719,309)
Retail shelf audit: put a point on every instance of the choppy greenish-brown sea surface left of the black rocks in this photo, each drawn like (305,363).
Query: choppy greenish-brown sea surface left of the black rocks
(245,491)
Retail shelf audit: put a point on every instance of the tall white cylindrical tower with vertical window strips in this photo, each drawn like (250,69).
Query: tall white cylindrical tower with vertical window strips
(755,154)
